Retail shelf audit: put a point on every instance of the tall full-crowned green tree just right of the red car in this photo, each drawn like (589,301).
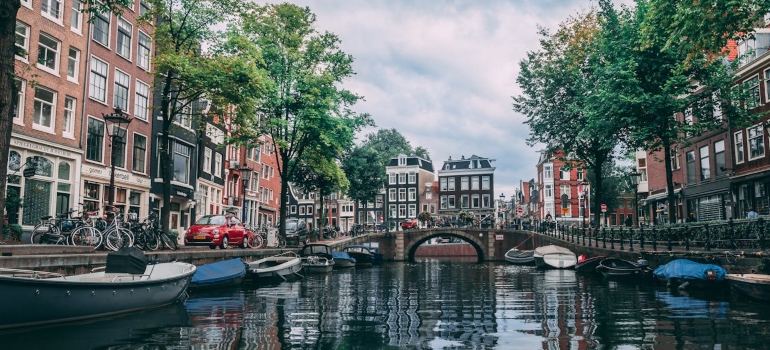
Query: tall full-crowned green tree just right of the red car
(304,109)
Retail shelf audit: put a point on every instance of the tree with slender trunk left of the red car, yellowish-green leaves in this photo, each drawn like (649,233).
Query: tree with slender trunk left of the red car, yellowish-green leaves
(228,74)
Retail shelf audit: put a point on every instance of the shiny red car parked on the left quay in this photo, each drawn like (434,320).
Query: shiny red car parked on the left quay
(216,231)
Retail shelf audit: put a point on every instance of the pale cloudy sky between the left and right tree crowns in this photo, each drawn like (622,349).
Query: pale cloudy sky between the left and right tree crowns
(443,72)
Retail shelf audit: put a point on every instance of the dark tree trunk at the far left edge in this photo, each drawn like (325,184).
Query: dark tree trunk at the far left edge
(8,11)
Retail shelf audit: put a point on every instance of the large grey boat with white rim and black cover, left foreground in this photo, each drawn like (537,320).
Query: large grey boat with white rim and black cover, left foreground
(128,283)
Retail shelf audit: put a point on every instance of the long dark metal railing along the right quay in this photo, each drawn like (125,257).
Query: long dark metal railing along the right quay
(714,235)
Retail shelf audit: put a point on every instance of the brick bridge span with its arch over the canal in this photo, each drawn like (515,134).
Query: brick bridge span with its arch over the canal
(476,237)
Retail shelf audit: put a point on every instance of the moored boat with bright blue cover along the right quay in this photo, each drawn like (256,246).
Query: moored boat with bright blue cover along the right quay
(684,273)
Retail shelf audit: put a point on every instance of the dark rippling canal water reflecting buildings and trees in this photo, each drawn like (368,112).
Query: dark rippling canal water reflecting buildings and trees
(430,304)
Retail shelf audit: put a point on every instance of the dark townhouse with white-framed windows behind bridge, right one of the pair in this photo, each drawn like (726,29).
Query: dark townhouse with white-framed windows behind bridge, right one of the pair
(467,184)
